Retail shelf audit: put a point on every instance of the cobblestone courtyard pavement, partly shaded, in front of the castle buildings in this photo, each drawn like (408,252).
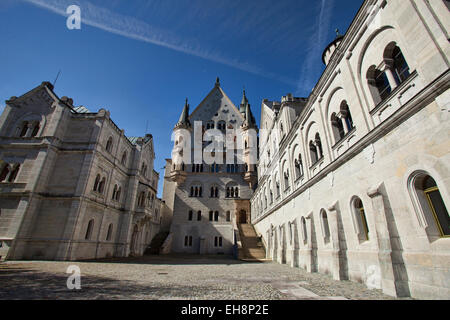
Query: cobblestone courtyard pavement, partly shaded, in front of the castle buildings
(175,277)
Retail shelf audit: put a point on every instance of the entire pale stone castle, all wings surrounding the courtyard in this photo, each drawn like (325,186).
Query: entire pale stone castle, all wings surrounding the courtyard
(353,180)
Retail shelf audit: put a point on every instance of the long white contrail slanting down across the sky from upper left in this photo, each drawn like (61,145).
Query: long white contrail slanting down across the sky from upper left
(132,28)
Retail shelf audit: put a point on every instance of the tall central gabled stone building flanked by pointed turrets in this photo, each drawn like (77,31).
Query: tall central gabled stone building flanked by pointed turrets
(207,192)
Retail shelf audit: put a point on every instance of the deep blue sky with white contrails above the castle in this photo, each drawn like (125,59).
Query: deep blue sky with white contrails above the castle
(140,59)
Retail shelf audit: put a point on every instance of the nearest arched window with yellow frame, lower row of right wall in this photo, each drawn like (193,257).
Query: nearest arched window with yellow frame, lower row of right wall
(432,205)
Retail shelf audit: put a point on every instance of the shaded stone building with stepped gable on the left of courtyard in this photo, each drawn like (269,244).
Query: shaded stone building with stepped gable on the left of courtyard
(72,185)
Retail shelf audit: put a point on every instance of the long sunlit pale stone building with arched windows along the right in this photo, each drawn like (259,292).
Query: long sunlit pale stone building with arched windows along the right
(354,181)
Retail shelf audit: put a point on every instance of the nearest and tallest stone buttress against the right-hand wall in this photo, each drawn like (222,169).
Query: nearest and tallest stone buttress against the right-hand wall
(388,281)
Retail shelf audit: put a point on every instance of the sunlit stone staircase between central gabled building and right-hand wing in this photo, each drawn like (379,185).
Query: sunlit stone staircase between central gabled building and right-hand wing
(252,247)
